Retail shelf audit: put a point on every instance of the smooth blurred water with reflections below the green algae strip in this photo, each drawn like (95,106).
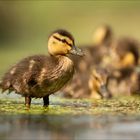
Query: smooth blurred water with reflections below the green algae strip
(42,127)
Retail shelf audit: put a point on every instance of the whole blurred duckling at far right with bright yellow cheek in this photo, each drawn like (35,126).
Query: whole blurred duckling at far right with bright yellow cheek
(123,67)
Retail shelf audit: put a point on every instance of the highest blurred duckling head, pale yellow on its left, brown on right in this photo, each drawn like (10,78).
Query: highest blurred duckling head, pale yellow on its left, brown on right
(102,35)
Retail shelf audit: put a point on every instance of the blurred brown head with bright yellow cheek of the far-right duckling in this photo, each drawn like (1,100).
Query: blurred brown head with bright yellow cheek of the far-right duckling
(127,50)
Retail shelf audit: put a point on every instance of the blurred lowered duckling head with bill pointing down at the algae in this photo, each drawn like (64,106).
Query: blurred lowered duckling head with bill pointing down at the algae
(98,83)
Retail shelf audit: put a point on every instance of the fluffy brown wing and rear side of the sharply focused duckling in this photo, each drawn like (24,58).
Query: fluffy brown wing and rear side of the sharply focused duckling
(22,76)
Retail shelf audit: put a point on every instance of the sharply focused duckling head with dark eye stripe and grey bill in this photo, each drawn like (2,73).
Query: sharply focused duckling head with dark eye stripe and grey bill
(61,42)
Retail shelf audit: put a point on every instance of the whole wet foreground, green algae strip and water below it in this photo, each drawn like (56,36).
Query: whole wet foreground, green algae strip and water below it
(65,119)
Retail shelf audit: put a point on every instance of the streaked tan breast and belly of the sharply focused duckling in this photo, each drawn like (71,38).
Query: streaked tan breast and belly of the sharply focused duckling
(54,79)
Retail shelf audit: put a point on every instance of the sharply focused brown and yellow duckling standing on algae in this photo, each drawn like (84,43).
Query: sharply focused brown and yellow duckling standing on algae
(39,75)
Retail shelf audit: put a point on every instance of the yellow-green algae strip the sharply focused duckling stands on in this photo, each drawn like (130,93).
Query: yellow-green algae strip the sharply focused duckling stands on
(61,106)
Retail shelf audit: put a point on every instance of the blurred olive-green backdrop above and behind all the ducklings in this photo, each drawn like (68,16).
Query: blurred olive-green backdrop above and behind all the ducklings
(25,25)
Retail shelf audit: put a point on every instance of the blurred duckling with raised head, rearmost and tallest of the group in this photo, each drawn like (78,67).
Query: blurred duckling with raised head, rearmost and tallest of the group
(94,53)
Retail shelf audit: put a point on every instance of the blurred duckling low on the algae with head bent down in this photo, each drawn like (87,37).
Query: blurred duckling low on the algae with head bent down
(92,86)
